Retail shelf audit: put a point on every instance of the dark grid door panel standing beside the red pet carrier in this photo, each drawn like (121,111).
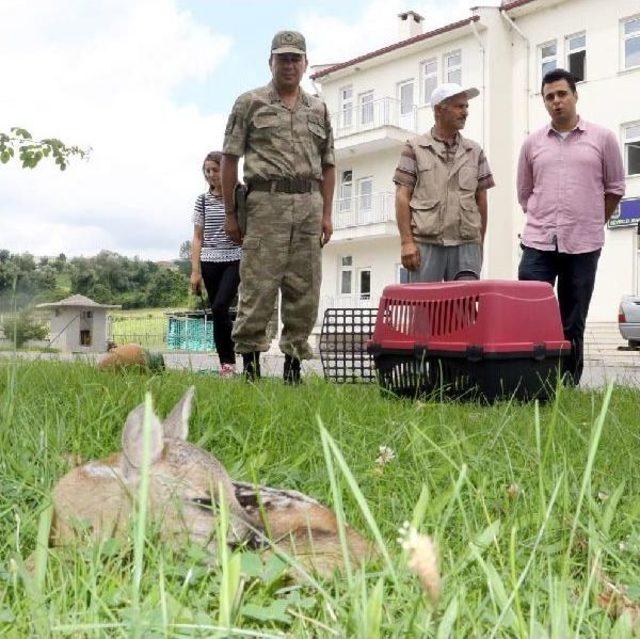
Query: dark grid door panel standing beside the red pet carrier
(343,344)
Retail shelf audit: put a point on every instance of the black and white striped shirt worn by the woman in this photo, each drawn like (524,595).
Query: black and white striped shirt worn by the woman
(216,245)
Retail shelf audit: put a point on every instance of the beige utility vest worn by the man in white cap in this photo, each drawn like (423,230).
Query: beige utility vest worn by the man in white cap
(443,205)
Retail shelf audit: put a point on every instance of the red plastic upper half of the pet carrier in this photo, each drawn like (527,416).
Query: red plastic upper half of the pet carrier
(495,316)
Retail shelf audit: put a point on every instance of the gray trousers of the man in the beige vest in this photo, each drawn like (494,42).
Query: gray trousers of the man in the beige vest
(438,263)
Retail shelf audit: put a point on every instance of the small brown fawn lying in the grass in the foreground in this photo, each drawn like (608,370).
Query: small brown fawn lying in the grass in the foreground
(184,485)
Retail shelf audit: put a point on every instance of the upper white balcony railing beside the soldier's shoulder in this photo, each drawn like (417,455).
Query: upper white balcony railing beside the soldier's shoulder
(374,114)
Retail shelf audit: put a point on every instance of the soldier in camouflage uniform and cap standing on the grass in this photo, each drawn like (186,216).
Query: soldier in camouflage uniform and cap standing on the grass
(286,139)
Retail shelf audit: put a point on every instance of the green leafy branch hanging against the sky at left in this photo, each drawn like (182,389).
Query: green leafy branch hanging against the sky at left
(31,151)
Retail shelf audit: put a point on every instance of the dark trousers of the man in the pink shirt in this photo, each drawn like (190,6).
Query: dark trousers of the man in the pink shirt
(576,274)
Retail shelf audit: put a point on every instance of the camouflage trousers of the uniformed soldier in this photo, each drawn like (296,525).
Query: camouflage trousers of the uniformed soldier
(281,251)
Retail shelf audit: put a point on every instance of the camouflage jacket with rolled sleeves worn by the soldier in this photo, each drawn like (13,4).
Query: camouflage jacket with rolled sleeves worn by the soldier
(278,142)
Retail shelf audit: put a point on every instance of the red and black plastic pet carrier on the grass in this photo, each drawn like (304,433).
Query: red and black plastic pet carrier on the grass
(490,338)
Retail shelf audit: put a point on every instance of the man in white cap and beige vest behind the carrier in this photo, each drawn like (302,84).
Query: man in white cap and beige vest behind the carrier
(441,194)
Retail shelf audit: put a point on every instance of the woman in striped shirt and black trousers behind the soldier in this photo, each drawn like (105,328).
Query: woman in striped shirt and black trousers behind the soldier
(215,261)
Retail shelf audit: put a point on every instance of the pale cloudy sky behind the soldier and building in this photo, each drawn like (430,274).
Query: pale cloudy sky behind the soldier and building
(147,84)
